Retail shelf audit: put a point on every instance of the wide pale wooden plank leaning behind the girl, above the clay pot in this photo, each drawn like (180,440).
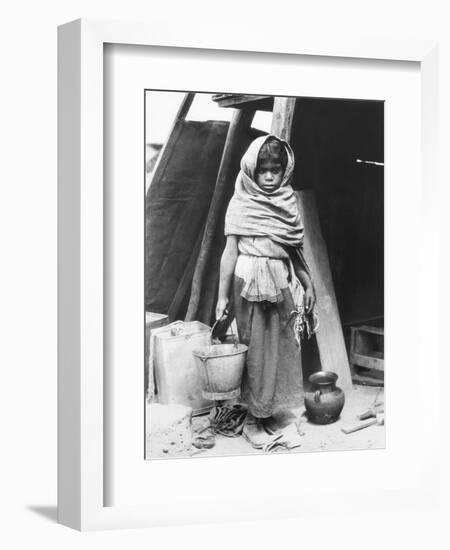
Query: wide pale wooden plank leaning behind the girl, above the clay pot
(330,338)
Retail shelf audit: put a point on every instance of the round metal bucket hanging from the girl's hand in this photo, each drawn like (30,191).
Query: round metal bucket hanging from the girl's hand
(221,367)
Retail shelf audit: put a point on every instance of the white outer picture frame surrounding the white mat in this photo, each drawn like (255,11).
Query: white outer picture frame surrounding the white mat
(80,256)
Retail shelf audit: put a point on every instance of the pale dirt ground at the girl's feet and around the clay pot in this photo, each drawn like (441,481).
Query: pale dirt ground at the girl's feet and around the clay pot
(315,437)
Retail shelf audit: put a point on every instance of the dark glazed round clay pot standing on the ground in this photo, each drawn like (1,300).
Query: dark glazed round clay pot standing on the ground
(326,401)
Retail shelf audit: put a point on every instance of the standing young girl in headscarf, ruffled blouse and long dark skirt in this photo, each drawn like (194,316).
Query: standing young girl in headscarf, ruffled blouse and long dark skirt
(263,263)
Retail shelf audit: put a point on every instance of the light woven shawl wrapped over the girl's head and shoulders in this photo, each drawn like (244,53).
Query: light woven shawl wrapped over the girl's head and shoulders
(254,212)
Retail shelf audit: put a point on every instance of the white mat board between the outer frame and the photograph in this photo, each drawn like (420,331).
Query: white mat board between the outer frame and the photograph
(128,71)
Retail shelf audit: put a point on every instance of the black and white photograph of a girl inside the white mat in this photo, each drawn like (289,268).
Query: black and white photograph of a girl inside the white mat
(264,274)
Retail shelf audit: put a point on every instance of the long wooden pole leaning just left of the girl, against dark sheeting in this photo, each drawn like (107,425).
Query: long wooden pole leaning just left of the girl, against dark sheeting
(239,124)
